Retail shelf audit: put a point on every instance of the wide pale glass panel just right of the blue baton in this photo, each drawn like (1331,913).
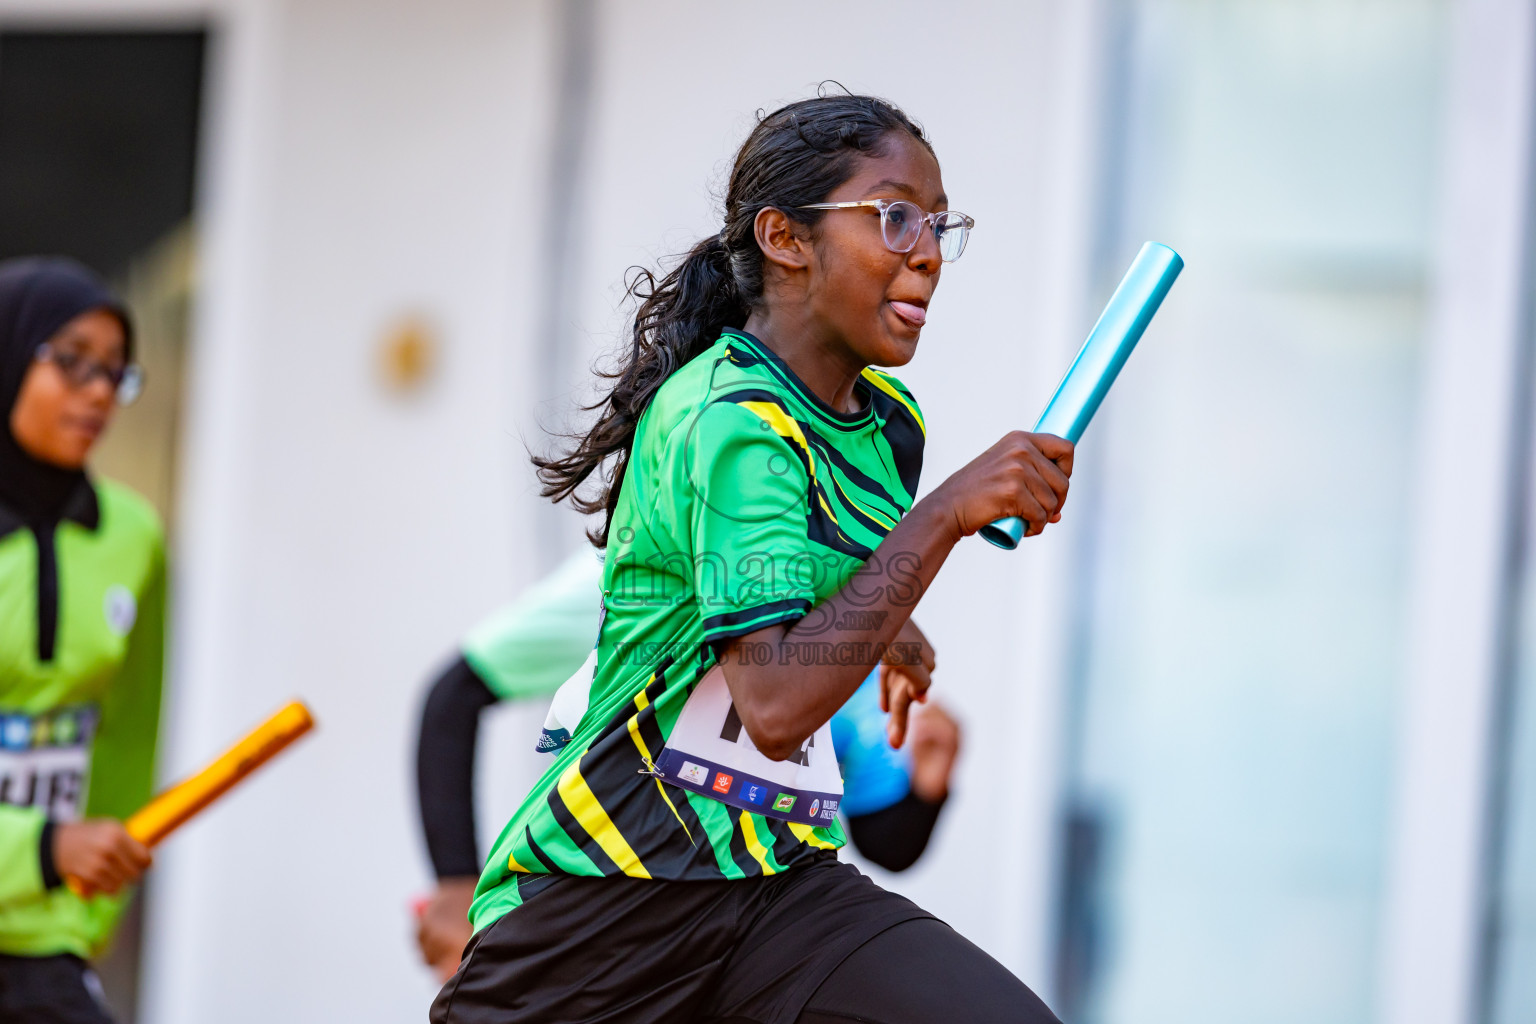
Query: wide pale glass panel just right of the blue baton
(1243,603)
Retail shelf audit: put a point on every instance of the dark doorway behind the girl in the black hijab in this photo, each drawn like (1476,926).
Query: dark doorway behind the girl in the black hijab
(99,140)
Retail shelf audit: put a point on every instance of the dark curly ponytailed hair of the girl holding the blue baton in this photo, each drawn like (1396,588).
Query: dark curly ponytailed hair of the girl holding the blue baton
(796,156)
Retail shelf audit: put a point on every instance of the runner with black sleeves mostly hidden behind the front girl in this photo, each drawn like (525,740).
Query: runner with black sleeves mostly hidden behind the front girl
(892,804)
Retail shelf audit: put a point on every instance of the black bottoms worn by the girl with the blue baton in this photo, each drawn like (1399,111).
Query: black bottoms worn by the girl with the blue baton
(752,951)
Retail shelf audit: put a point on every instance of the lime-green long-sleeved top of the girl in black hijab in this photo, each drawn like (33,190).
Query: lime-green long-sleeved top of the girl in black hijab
(78,730)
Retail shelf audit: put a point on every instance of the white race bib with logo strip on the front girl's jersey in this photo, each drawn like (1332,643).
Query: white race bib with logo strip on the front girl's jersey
(710,753)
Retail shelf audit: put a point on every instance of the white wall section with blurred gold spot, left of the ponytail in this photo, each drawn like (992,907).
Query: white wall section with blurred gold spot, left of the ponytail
(366,160)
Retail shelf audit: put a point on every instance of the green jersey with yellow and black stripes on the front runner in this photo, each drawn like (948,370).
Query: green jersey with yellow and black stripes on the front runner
(747,503)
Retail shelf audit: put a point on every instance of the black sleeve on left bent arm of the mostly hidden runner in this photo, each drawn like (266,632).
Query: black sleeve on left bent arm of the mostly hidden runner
(446,768)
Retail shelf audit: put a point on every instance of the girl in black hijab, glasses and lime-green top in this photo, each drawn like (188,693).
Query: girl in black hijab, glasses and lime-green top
(82,612)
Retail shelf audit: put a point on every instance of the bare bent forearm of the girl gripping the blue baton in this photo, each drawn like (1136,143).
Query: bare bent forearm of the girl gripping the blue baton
(789,681)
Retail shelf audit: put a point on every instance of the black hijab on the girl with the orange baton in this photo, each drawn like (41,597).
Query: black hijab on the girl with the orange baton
(38,297)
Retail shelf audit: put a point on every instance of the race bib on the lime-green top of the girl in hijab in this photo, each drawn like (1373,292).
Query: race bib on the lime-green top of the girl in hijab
(45,761)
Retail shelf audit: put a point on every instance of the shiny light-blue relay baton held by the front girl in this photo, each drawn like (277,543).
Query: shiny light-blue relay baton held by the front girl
(1097,365)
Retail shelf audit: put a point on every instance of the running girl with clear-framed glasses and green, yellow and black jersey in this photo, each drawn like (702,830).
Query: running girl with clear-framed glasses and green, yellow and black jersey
(766,550)
